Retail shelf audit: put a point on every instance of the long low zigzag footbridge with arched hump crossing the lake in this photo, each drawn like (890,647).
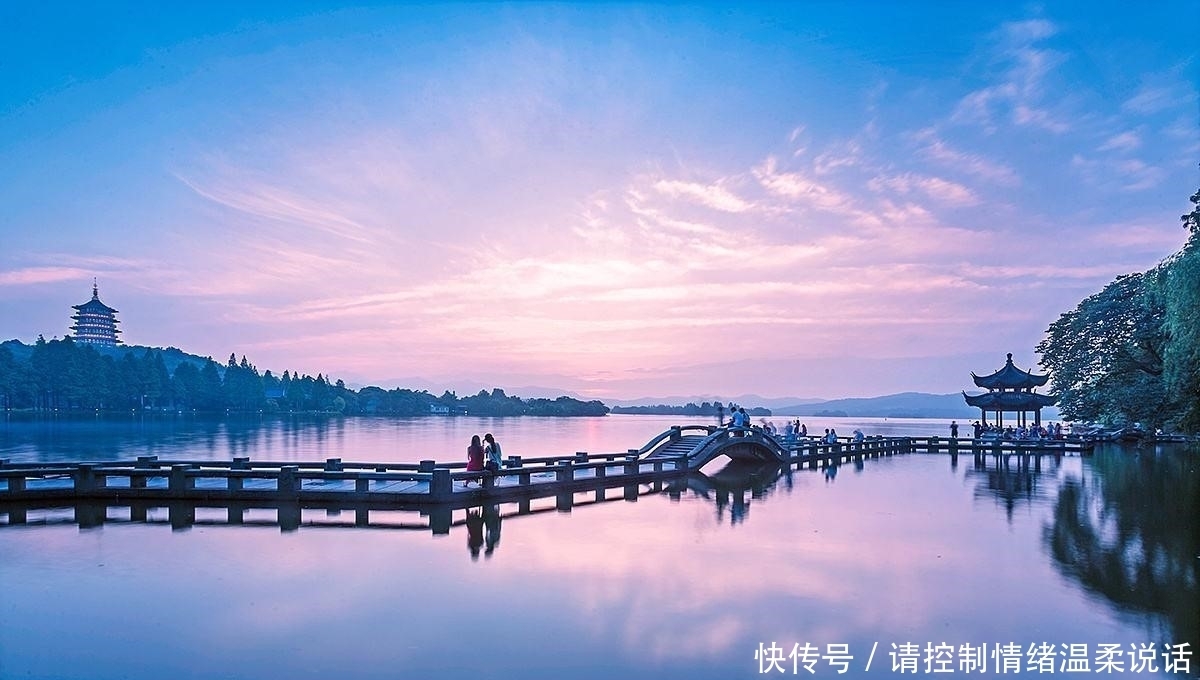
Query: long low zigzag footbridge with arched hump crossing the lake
(673,454)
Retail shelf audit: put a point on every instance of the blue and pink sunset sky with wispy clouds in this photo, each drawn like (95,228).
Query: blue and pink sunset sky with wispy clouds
(821,201)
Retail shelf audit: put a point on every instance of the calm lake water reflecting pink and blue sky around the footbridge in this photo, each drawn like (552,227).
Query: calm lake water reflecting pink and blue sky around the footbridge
(922,550)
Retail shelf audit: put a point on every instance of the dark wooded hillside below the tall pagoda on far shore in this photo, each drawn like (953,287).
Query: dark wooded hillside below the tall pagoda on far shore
(65,376)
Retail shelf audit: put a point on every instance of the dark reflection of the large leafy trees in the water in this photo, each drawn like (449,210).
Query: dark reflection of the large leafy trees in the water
(1127,531)
